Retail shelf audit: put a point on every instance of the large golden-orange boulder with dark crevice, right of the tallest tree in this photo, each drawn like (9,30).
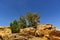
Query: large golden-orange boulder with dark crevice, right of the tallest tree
(44,29)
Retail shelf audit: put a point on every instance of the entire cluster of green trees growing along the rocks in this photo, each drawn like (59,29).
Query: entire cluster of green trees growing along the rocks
(32,18)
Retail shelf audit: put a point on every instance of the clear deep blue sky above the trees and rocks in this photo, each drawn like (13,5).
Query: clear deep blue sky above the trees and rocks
(49,10)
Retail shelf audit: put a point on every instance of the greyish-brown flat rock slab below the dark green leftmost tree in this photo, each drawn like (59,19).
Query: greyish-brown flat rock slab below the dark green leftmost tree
(19,37)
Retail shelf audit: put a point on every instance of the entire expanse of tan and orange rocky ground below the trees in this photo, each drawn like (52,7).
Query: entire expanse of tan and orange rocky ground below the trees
(42,32)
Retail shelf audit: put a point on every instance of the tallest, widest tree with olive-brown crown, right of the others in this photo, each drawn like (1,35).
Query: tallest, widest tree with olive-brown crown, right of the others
(33,19)
